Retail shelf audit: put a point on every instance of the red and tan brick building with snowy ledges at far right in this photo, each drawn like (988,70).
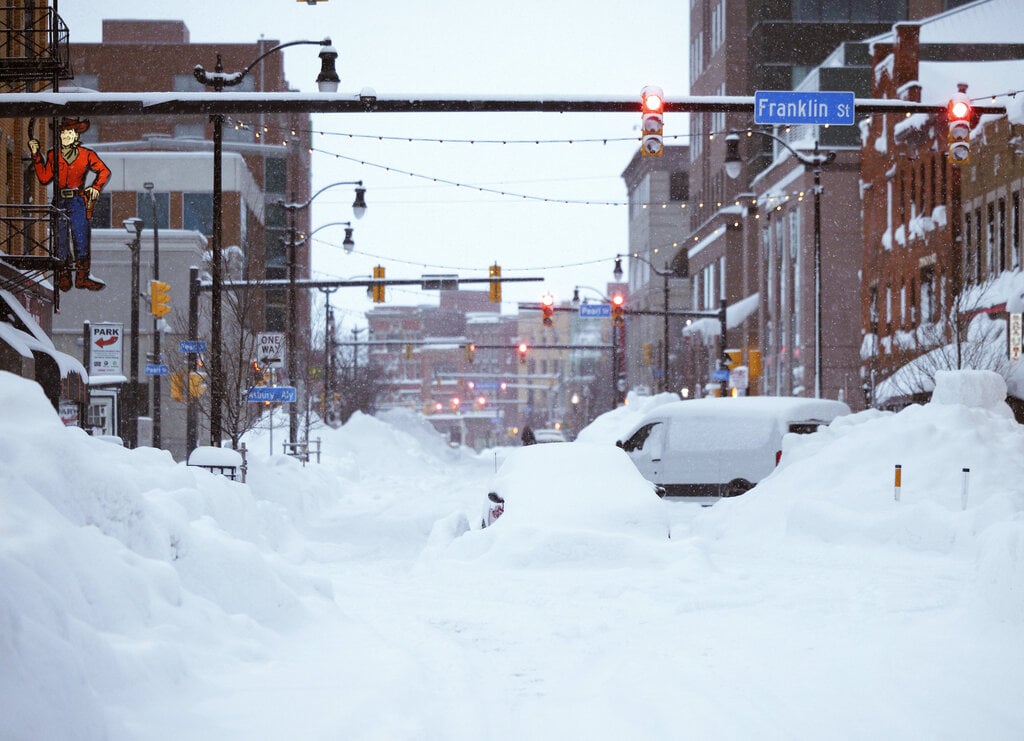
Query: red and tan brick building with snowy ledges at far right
(934,232)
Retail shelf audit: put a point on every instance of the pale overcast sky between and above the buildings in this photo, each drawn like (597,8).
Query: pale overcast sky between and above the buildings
(415,226)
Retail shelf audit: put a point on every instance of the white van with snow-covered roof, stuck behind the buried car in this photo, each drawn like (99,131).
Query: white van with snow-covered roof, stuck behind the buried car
(720,447)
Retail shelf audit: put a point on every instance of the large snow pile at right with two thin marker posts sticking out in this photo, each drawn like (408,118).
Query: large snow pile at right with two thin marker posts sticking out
(962,485)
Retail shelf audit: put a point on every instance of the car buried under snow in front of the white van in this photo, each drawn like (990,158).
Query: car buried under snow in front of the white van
(575,486)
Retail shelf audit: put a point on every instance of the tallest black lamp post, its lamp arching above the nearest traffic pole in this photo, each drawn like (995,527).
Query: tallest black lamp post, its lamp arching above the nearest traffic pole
(327,81)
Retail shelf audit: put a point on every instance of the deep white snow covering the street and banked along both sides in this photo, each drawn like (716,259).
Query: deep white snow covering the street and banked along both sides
(348,600)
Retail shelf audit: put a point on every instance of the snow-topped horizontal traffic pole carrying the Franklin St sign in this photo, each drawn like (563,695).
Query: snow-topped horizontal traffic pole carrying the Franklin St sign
(55,105)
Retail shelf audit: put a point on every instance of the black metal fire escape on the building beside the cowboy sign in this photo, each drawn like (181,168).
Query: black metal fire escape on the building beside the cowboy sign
(35,55)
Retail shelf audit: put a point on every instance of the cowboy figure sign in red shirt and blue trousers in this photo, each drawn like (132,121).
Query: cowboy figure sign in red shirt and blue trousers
(74,198)
